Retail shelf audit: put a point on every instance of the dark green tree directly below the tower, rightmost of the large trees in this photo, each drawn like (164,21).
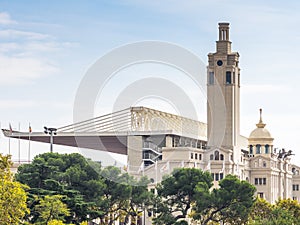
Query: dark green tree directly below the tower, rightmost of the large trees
(230,203)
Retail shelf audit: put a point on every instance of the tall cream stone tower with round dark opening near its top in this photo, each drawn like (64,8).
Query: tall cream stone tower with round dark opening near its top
(223,94)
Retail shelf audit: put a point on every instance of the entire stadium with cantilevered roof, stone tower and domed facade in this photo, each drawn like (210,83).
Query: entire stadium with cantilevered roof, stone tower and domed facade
(157,142)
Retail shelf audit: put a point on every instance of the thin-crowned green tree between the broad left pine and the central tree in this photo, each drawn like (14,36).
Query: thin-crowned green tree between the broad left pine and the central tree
(123,196)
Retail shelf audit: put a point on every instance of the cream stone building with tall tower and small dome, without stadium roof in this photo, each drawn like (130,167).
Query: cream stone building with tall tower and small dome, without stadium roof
(227,152)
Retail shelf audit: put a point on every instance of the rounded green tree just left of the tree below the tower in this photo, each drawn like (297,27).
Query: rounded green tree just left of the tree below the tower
(177,193)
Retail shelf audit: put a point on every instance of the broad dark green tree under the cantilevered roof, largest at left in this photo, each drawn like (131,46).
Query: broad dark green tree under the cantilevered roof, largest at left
(70,175)
